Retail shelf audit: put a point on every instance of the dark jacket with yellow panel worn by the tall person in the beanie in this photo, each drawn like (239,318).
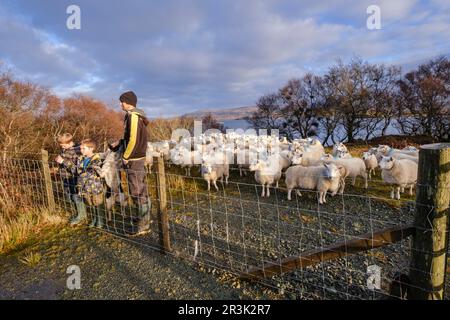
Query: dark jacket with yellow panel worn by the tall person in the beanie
(135,135)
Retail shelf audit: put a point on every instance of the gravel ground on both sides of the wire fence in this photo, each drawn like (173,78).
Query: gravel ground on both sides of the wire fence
(234,229)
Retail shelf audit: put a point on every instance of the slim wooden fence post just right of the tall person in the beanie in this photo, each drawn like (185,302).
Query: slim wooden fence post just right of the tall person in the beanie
(163,219)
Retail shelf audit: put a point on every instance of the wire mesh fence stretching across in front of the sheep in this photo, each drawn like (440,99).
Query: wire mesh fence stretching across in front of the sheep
(357,245)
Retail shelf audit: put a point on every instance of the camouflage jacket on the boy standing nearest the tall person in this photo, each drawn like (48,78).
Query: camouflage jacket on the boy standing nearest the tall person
(89,181)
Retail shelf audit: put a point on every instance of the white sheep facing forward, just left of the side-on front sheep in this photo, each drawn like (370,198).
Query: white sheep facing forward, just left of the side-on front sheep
(267,172)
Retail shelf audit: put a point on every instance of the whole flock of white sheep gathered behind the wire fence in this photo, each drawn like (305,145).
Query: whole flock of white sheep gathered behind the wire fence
(304,161)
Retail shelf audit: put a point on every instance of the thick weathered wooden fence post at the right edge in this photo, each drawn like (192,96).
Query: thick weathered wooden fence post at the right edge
(430,240)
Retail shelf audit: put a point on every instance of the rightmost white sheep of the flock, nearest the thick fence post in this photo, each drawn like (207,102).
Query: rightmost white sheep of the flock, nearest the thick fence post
(399,173)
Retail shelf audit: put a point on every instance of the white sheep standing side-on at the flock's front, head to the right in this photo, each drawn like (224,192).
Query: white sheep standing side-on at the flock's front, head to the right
(325,178)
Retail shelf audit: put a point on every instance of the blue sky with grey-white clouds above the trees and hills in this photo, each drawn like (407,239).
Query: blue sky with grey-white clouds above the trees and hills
(181,56)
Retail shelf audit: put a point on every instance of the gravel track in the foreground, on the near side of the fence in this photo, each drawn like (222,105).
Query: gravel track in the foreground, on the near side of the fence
(112,268)
